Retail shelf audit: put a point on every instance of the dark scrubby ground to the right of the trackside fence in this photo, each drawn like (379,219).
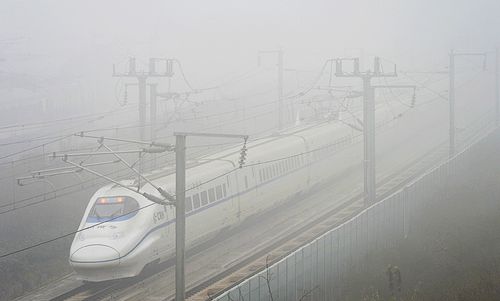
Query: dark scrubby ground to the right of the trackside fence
(454,253)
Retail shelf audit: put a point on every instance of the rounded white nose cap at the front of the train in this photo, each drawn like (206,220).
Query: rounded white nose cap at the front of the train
(96,254)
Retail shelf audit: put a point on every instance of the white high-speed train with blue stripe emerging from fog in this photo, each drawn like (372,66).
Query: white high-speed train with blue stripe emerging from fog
(277,168)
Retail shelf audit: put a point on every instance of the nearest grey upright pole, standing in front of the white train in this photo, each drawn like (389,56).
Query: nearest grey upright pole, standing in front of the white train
(180,216)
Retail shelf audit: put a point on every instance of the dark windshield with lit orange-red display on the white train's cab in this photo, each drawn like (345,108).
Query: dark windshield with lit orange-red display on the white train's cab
(116,208)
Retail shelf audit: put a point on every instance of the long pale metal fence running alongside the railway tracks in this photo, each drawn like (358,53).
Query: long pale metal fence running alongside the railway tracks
(316,271)
